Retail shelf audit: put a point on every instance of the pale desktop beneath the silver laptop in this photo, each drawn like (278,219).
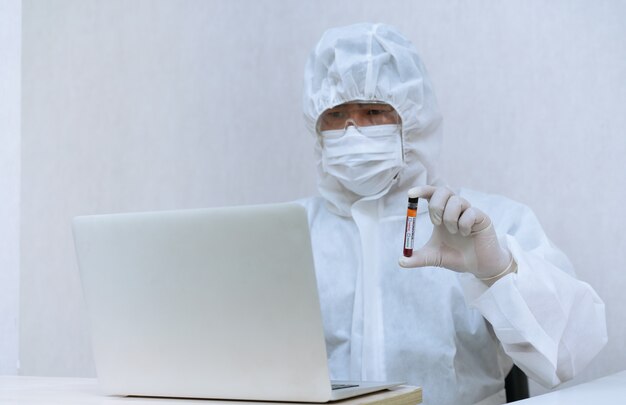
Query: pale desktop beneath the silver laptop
(17,390)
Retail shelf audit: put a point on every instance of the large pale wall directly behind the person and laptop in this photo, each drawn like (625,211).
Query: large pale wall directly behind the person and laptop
(160,104)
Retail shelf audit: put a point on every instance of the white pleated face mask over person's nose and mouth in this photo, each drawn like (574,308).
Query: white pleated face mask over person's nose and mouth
(363,160)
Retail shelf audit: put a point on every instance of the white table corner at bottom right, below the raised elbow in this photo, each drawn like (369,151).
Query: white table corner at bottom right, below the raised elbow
(610,390)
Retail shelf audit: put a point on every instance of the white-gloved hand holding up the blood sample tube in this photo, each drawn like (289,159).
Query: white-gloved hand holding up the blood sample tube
(463,238)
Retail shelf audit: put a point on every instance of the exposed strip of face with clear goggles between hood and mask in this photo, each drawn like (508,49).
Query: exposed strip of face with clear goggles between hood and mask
(359,113)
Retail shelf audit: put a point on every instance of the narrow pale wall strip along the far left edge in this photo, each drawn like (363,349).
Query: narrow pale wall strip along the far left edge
(10,48)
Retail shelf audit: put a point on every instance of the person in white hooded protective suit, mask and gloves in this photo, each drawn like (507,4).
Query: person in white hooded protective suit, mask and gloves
(492,288)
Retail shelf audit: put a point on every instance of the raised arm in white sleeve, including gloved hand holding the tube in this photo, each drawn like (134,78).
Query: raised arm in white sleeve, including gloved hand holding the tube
(548,322)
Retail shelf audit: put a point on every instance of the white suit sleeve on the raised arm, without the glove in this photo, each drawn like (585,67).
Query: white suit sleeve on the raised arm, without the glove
(550,323)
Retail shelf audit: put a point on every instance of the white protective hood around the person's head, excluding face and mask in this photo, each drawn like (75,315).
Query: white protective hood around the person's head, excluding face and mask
(374,62)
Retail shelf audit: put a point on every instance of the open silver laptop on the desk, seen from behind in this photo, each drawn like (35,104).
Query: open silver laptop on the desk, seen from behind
(209,303)
